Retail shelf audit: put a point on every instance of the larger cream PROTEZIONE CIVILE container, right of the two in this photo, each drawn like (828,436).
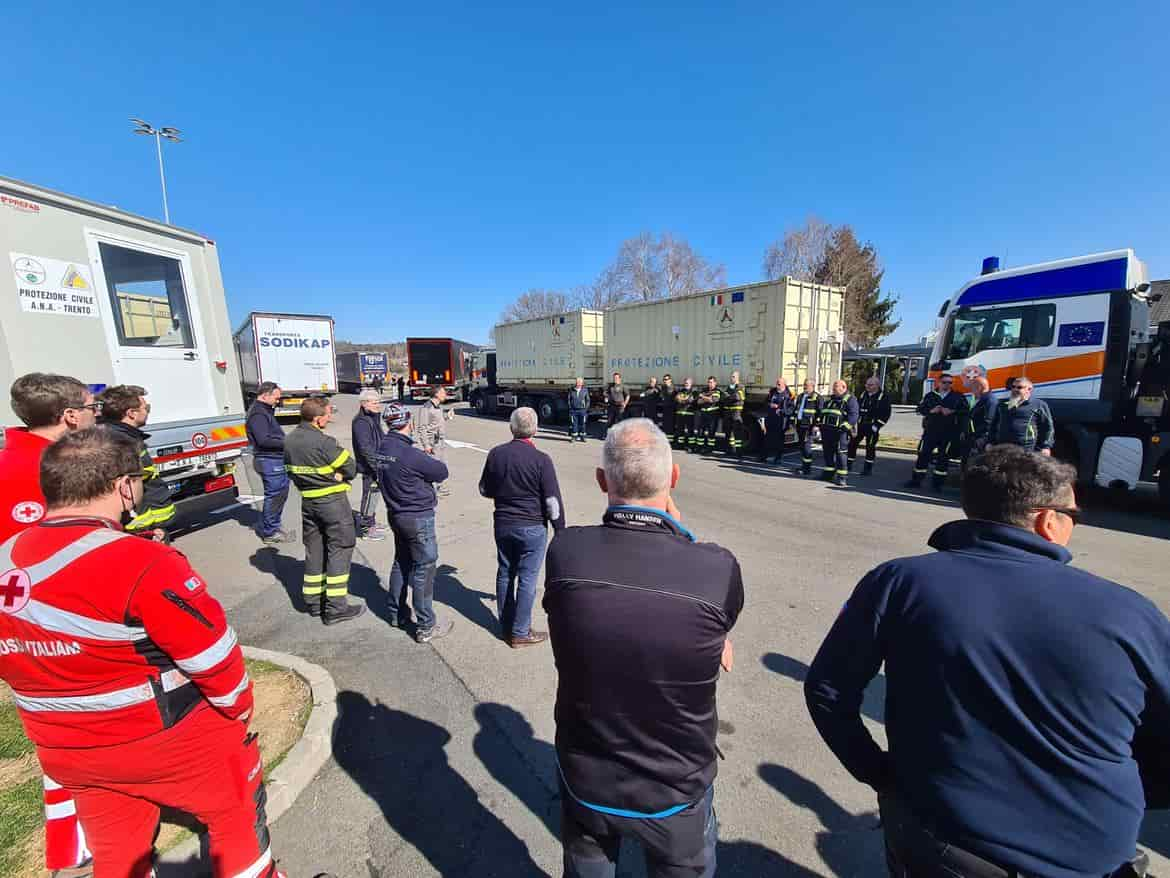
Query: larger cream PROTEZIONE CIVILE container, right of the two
(763,331)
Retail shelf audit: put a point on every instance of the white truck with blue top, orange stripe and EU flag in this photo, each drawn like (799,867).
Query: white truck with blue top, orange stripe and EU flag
(1080,330)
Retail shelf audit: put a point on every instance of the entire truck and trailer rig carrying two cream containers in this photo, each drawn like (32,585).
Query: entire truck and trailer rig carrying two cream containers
(765,331)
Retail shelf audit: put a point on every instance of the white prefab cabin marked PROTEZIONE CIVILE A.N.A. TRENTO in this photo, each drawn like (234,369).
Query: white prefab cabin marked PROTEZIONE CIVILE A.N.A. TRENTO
(111,299)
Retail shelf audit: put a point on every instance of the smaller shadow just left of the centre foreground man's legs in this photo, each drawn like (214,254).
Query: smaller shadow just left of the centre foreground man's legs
(504,736)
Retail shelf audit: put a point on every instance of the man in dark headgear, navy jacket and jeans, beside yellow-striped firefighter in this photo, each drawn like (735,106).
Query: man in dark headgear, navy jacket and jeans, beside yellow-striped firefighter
(408,478)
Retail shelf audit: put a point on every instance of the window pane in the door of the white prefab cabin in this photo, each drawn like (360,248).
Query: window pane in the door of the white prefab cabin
(148,299)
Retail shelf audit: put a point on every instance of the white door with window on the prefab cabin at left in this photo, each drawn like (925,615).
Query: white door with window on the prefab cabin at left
(153,325)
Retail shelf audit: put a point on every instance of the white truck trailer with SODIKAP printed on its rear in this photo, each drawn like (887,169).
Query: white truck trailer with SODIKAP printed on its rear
(294,351)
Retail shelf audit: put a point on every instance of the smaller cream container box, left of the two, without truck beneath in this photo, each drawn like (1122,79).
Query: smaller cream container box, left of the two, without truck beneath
(552,351)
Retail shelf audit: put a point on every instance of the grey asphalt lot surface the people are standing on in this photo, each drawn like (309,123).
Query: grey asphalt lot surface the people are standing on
(444,760)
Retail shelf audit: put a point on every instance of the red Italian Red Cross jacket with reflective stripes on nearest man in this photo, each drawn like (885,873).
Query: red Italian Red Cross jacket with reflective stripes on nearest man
(107,639)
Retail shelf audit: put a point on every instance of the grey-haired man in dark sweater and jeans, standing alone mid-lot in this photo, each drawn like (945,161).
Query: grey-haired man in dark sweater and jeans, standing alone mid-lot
(525,486)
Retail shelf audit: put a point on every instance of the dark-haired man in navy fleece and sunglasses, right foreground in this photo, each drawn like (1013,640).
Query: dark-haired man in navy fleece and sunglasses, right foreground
(1016,689)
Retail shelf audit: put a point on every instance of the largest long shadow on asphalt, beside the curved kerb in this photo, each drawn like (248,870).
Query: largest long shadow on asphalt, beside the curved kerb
(401,763)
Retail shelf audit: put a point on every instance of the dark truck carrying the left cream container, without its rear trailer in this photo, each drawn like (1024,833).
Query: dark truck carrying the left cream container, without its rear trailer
(538,361)
